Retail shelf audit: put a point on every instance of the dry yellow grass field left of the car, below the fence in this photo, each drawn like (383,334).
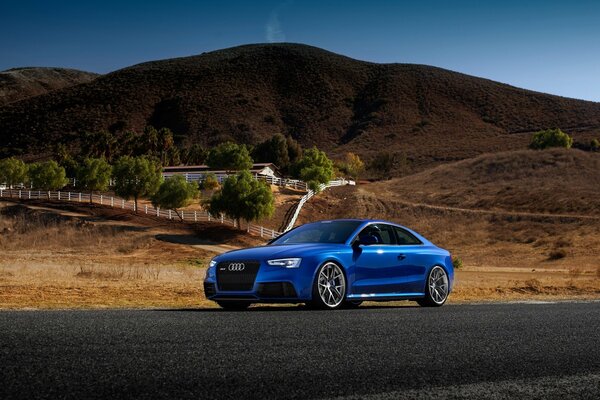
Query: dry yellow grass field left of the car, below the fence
(53,261)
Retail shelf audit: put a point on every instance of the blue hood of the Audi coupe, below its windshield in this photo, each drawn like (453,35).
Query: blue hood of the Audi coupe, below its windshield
(278,251)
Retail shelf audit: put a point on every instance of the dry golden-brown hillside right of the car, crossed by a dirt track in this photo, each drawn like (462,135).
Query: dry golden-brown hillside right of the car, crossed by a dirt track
(522,209)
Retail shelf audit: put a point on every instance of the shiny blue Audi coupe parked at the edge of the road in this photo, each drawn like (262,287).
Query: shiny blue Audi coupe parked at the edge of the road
(334,264)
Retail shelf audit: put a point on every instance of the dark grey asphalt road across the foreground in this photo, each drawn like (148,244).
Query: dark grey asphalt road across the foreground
(466,351)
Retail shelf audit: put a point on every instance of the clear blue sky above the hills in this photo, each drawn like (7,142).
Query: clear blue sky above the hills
(545,45)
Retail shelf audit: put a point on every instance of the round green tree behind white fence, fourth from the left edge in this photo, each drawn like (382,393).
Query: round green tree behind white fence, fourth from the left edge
(137,177)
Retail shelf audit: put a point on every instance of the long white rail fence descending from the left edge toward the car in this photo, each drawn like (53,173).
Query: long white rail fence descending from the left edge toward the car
(117,202)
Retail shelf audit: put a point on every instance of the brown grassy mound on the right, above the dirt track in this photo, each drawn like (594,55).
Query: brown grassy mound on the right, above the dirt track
(555,181)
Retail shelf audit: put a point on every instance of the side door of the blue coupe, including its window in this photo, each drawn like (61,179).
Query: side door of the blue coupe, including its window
(377,266)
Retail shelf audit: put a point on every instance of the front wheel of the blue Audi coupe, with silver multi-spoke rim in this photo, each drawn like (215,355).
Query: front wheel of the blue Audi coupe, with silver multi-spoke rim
(329,289)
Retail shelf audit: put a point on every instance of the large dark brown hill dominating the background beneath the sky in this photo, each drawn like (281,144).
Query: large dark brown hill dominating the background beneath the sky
(250,92)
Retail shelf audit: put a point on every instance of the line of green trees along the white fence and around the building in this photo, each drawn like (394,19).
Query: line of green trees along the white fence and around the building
(240,196)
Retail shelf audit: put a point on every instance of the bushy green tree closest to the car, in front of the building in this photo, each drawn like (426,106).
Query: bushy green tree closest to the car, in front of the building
(243,197)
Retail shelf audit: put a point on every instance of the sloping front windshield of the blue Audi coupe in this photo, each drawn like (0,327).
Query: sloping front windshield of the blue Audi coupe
(335,232)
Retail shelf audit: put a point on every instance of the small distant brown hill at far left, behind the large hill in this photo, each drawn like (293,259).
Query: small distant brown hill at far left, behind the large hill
(21,83)
